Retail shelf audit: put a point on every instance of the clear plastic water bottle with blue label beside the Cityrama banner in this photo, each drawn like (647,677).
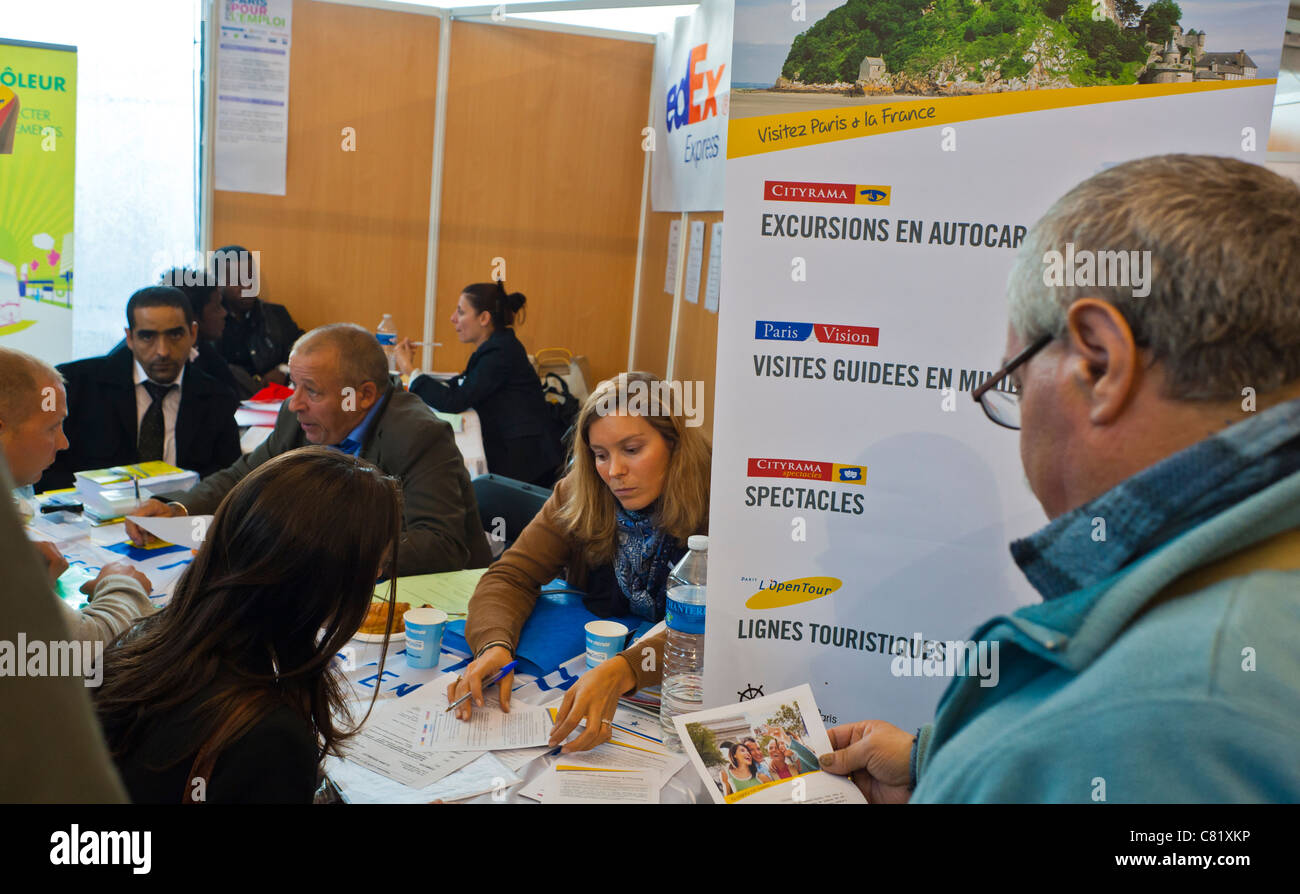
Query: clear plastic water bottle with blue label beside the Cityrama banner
(683,689)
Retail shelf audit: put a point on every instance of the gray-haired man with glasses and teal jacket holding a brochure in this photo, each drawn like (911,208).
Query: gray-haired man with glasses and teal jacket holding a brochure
(1162,433)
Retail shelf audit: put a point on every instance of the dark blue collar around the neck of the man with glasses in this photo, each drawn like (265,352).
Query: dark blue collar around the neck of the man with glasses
(1163,502)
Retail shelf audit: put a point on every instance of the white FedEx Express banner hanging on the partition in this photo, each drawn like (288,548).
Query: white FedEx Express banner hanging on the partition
(691,89)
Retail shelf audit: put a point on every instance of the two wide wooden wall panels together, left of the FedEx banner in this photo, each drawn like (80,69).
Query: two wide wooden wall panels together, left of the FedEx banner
(543,168)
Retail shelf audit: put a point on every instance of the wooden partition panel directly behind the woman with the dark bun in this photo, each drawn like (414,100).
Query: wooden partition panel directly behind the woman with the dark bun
(544,170)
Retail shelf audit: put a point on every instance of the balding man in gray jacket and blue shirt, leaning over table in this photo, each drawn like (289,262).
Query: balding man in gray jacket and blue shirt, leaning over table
(345,401)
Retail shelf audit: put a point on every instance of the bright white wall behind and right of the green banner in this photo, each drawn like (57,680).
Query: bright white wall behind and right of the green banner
(137,175)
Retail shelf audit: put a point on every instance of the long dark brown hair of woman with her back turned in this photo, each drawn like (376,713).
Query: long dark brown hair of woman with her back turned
(281,584)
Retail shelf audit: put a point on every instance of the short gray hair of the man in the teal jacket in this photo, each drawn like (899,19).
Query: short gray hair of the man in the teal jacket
(1224,238)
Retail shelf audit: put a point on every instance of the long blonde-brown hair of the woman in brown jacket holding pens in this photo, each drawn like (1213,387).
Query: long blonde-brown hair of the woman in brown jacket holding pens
(591,511)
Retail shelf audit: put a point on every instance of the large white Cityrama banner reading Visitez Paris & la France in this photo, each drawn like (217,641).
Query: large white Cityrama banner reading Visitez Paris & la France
(885,163)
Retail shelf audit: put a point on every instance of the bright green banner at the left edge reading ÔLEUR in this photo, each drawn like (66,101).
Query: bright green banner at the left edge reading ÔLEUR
(38,162)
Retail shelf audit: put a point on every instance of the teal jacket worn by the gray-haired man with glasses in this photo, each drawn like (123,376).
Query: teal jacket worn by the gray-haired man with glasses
(1197,700)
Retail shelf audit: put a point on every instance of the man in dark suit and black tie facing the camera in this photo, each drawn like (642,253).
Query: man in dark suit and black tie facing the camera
(145,401)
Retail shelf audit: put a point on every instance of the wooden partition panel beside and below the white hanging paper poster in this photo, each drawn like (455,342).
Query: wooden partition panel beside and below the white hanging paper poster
(349,240)
